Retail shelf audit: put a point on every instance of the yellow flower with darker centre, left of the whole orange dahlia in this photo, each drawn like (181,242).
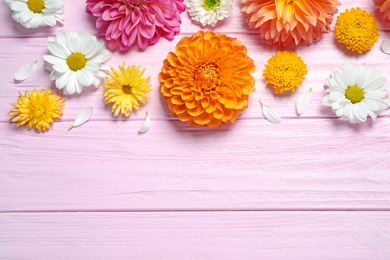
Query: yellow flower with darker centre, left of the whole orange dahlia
(125,88)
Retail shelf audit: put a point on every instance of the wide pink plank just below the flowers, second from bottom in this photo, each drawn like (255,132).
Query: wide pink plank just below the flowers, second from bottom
(299,164)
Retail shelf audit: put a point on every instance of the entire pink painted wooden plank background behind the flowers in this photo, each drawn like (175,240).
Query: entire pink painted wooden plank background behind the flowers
(312,187)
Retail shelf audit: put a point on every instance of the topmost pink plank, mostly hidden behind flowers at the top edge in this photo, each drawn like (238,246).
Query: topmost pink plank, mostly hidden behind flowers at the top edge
(76,19)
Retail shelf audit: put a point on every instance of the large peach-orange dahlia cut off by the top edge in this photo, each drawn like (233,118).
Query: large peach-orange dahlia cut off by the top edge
(281,22)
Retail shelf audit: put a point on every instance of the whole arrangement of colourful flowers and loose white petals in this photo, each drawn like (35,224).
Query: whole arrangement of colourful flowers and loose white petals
(207,80)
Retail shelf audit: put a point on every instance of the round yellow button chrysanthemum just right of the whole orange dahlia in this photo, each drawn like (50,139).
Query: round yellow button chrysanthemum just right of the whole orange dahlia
(285,70)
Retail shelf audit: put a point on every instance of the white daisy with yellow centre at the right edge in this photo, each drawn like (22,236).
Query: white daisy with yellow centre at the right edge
(355,93)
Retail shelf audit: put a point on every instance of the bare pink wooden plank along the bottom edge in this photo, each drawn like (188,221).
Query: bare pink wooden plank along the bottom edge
(196,235)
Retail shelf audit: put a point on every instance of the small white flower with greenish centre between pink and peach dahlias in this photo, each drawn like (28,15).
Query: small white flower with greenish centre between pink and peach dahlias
(209,12)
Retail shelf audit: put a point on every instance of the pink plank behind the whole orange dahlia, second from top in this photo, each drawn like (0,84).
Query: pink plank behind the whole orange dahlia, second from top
(319,63)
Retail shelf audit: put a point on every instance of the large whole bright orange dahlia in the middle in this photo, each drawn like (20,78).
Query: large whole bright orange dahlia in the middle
(207,80)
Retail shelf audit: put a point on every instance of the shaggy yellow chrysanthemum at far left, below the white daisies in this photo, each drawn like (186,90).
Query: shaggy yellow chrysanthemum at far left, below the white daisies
(37,109)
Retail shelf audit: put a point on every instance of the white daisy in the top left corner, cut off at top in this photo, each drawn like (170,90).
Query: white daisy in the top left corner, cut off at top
(36,13)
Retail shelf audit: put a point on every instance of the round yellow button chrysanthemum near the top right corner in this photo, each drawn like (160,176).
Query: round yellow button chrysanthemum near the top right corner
(357,29)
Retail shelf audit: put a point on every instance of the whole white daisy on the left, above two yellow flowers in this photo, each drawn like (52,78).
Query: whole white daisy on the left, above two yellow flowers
(75,60)
